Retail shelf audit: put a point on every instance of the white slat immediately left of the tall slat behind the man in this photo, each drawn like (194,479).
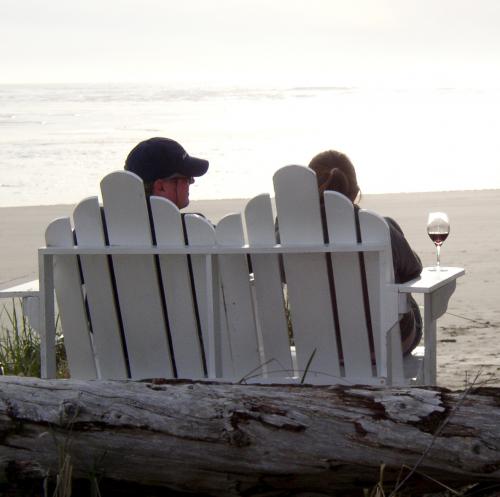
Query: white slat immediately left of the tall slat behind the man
(106,332)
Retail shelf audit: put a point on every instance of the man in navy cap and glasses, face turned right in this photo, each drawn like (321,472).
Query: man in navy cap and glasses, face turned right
(165,168)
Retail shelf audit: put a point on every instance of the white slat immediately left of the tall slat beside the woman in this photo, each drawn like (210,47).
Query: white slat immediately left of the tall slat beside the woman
(268,288)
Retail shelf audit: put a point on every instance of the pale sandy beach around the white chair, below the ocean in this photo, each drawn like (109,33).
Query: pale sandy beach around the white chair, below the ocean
(468,340)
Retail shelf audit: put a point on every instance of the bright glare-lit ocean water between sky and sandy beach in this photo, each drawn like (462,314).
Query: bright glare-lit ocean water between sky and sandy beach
(57,142)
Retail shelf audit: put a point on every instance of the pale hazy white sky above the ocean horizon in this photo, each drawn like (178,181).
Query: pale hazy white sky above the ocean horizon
(443,43)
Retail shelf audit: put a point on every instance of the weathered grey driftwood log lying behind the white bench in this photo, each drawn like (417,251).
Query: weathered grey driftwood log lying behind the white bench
(231,440)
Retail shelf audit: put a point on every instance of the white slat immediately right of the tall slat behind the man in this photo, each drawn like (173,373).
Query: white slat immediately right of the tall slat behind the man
(183,323)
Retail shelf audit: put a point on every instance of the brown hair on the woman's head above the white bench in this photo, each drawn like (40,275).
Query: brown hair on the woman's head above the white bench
(335,172)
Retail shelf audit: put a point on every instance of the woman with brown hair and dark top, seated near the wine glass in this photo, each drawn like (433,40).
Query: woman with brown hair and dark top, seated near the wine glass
(335,172)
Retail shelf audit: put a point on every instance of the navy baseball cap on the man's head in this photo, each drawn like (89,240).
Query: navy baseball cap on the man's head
(158,158)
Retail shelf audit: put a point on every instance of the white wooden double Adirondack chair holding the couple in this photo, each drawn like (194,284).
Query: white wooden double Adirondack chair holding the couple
(142,296)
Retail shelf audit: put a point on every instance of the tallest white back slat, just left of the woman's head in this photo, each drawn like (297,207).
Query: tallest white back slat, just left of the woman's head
(299,218)
